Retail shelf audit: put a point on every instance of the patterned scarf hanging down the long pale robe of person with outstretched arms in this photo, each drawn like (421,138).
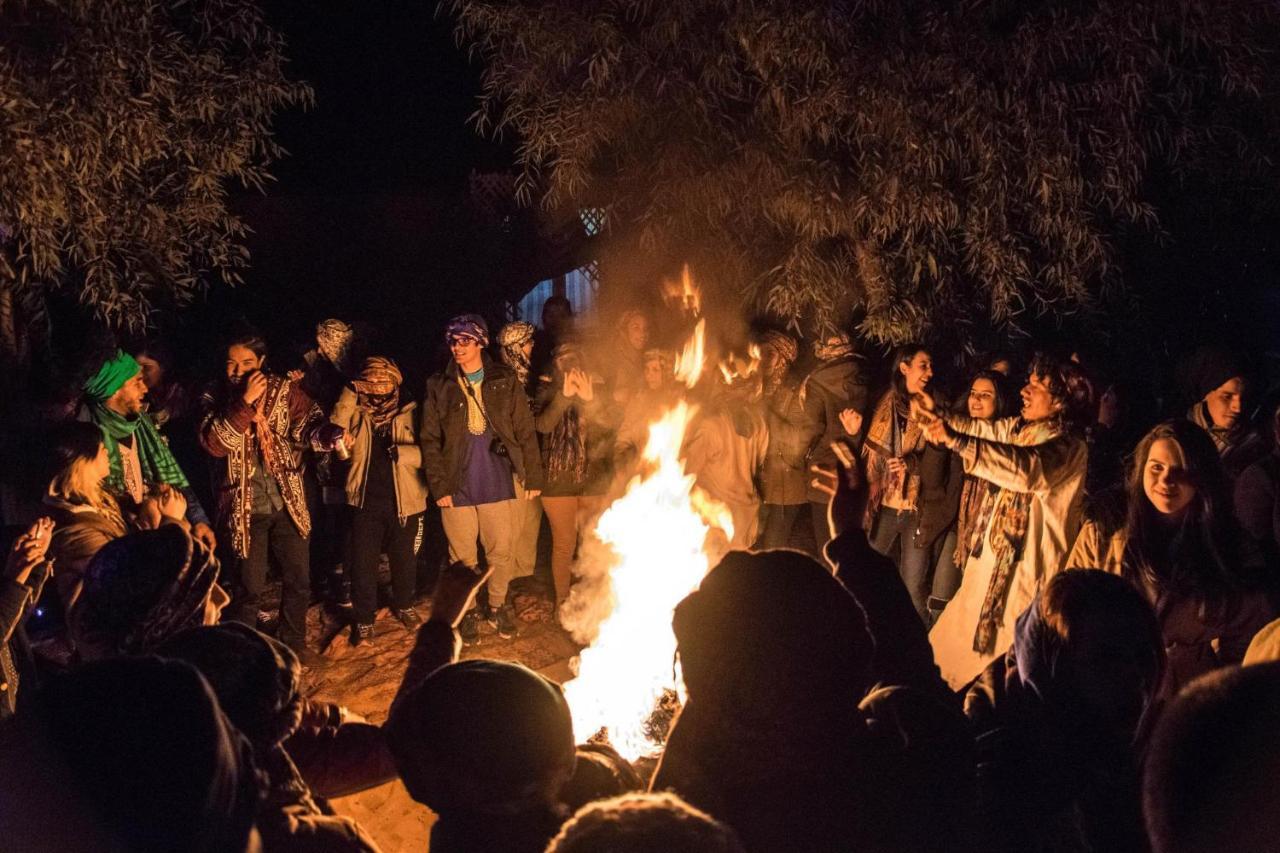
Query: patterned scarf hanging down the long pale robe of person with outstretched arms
(1005,522)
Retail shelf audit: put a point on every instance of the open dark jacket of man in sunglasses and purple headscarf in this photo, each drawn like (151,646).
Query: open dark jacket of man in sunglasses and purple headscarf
(444,435)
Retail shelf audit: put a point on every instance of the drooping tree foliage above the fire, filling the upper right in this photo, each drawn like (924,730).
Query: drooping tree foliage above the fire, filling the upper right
(929,166)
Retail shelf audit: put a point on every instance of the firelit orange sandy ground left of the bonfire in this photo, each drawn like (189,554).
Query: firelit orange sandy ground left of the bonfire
(365,681)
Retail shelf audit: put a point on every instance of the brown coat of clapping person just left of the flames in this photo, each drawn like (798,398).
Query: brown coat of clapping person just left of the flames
(598,422)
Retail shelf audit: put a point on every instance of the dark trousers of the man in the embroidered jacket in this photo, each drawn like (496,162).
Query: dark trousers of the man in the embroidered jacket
(276,536)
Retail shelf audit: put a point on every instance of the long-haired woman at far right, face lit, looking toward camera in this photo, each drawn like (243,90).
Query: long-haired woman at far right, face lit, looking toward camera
(1178,546)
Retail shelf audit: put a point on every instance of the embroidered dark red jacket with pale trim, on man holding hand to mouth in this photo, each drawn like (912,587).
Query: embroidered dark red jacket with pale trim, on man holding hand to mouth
(284,426)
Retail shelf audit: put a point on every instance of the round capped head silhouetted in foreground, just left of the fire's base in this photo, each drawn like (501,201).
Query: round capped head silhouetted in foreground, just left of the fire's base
(483,737)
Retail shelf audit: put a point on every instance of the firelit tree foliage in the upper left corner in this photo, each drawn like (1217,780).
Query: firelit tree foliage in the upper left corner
(121,126)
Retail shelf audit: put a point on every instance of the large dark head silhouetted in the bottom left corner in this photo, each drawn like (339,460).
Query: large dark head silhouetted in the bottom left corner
(134,752)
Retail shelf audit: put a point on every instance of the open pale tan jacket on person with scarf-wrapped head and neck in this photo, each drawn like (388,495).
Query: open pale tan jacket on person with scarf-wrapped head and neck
(406,471)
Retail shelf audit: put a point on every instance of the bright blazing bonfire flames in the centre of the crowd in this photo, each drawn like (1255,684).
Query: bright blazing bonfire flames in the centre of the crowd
(657,537)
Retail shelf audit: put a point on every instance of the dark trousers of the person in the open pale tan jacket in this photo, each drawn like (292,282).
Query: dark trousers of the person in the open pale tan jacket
(373,533)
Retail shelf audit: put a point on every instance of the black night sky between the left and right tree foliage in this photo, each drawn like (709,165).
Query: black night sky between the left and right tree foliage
(360,222)
